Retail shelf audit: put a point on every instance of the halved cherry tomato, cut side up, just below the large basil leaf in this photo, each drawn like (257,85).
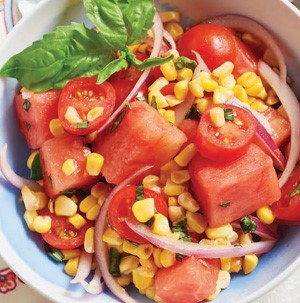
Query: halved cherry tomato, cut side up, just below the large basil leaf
(80,96)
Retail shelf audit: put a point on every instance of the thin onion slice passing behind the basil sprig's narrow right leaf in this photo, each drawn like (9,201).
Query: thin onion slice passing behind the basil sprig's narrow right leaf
(158,40)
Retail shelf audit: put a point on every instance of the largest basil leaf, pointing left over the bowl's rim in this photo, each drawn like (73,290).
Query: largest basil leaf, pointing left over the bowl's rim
(68,52)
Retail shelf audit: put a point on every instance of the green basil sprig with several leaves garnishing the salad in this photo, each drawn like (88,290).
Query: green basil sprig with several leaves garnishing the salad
(74,50)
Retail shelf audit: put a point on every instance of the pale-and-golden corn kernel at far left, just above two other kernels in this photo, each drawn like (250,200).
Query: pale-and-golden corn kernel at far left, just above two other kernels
(33,200)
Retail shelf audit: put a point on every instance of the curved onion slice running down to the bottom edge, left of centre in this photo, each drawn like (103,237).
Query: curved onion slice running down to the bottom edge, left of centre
(101,251)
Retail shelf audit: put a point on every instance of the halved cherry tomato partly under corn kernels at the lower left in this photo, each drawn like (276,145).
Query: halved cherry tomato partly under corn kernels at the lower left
(63,235)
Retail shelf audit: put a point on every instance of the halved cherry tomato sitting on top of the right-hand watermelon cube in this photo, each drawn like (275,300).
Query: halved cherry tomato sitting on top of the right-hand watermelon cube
(228,142)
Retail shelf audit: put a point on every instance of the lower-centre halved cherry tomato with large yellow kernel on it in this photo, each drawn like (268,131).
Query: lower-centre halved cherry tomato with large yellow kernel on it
(121,208)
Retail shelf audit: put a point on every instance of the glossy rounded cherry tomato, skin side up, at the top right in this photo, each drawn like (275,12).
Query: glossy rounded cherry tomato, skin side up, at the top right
(217,44)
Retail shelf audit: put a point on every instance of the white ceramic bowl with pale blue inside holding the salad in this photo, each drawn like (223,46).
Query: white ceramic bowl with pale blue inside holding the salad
(23,250)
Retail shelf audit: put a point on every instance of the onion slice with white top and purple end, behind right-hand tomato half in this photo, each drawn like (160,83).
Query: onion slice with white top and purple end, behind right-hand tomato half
(263,131)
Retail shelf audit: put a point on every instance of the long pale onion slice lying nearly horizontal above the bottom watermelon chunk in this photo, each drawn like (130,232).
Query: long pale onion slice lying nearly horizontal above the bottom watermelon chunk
(200,250)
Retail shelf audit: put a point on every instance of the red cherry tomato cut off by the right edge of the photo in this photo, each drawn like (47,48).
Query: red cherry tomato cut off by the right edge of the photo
(288,207)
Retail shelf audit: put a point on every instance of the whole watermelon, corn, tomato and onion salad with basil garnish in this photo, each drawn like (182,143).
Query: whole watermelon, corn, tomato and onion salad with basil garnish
(157,151)
